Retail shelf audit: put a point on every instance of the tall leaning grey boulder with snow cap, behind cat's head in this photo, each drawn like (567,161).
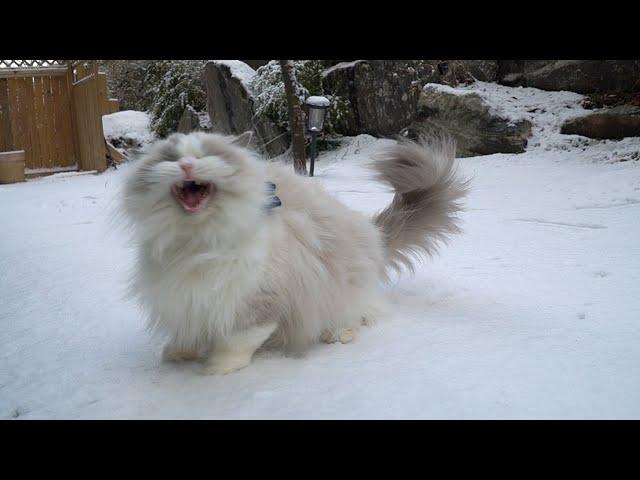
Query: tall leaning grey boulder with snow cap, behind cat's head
(231,106)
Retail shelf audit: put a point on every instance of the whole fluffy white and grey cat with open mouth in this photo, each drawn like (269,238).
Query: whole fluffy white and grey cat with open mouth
(221,275)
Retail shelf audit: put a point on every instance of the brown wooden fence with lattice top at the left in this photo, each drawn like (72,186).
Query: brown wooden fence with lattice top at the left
(54,113)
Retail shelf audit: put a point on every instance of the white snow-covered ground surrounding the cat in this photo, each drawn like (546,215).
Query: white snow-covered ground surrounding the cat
(534,312)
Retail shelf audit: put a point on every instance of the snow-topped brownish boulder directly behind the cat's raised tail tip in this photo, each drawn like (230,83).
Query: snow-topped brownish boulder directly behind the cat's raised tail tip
(477,129)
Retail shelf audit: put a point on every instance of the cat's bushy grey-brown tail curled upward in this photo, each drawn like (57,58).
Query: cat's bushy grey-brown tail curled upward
(428,194)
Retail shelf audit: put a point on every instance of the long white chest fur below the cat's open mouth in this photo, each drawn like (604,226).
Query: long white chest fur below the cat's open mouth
(196,294)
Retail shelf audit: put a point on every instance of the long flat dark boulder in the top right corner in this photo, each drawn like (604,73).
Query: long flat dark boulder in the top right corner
(581,76)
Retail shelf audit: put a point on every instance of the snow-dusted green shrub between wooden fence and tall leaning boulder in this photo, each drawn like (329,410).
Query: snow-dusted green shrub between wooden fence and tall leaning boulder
(171,85)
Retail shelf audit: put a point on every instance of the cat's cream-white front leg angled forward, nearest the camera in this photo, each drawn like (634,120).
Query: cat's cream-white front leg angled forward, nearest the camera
(235,352)
